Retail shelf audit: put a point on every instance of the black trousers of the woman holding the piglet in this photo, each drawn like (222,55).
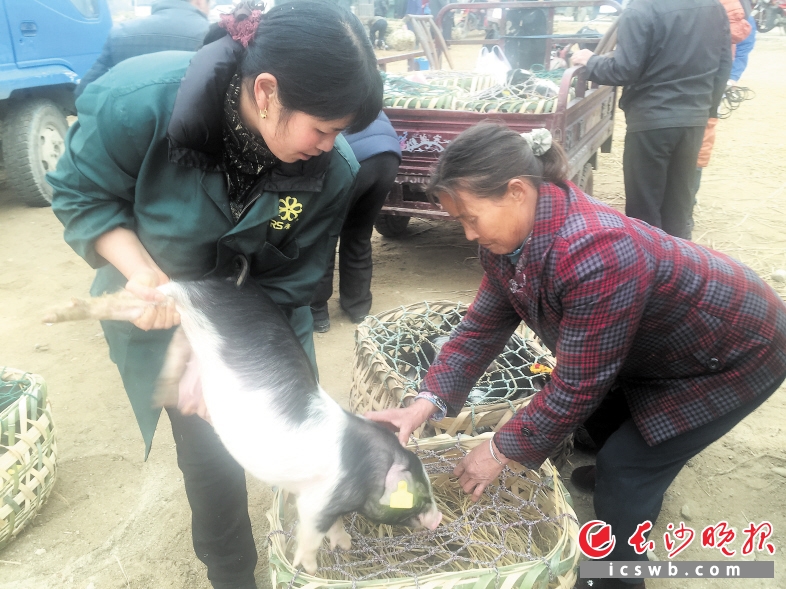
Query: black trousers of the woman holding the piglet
(216,490)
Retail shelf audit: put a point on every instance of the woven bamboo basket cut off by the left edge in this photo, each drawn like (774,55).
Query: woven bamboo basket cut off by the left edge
(28,450)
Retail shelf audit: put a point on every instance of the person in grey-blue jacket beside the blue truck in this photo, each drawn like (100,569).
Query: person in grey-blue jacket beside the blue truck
(173,25)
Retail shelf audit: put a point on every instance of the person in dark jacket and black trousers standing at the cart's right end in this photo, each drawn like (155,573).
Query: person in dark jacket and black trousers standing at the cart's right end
(673,58)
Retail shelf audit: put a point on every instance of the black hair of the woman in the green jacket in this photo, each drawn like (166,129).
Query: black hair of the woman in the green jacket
(321,57)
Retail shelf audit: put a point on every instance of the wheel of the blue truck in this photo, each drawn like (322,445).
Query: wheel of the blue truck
(33,141)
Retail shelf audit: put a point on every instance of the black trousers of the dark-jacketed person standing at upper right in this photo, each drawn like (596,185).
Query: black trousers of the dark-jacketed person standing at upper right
(659,167)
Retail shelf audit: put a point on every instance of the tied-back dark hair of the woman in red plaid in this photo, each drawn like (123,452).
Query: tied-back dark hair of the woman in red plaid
(485,157)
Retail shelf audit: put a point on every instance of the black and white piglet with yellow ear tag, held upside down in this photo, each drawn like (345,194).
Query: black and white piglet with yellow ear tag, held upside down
(277,422)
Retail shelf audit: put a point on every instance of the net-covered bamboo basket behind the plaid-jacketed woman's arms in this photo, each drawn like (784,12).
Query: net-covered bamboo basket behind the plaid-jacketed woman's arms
(388,374)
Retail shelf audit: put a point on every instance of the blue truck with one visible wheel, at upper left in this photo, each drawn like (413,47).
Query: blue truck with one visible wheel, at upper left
(46,46)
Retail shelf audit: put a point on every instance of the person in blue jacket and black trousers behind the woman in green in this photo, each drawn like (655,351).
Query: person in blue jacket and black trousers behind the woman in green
(378,151)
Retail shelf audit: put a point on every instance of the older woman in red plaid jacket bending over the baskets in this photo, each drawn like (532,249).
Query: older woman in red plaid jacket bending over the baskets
(678,341)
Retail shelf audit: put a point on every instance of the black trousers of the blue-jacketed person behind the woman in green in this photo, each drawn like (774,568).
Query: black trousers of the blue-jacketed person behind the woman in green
(374,181)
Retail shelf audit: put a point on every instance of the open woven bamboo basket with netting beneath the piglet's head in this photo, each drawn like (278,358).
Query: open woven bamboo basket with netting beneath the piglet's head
(523,533)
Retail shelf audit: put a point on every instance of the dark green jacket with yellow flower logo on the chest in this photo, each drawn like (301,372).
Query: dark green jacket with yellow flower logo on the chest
(126,166)
